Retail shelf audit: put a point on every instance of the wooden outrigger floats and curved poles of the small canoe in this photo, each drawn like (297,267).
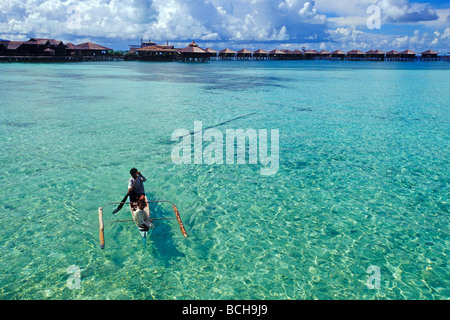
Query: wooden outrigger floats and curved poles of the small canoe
(143,233)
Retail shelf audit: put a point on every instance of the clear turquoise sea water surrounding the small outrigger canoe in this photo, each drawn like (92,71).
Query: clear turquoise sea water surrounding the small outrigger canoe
(363,181)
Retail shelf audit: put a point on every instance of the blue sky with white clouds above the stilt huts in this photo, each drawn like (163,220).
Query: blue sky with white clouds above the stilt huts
(268,24)
